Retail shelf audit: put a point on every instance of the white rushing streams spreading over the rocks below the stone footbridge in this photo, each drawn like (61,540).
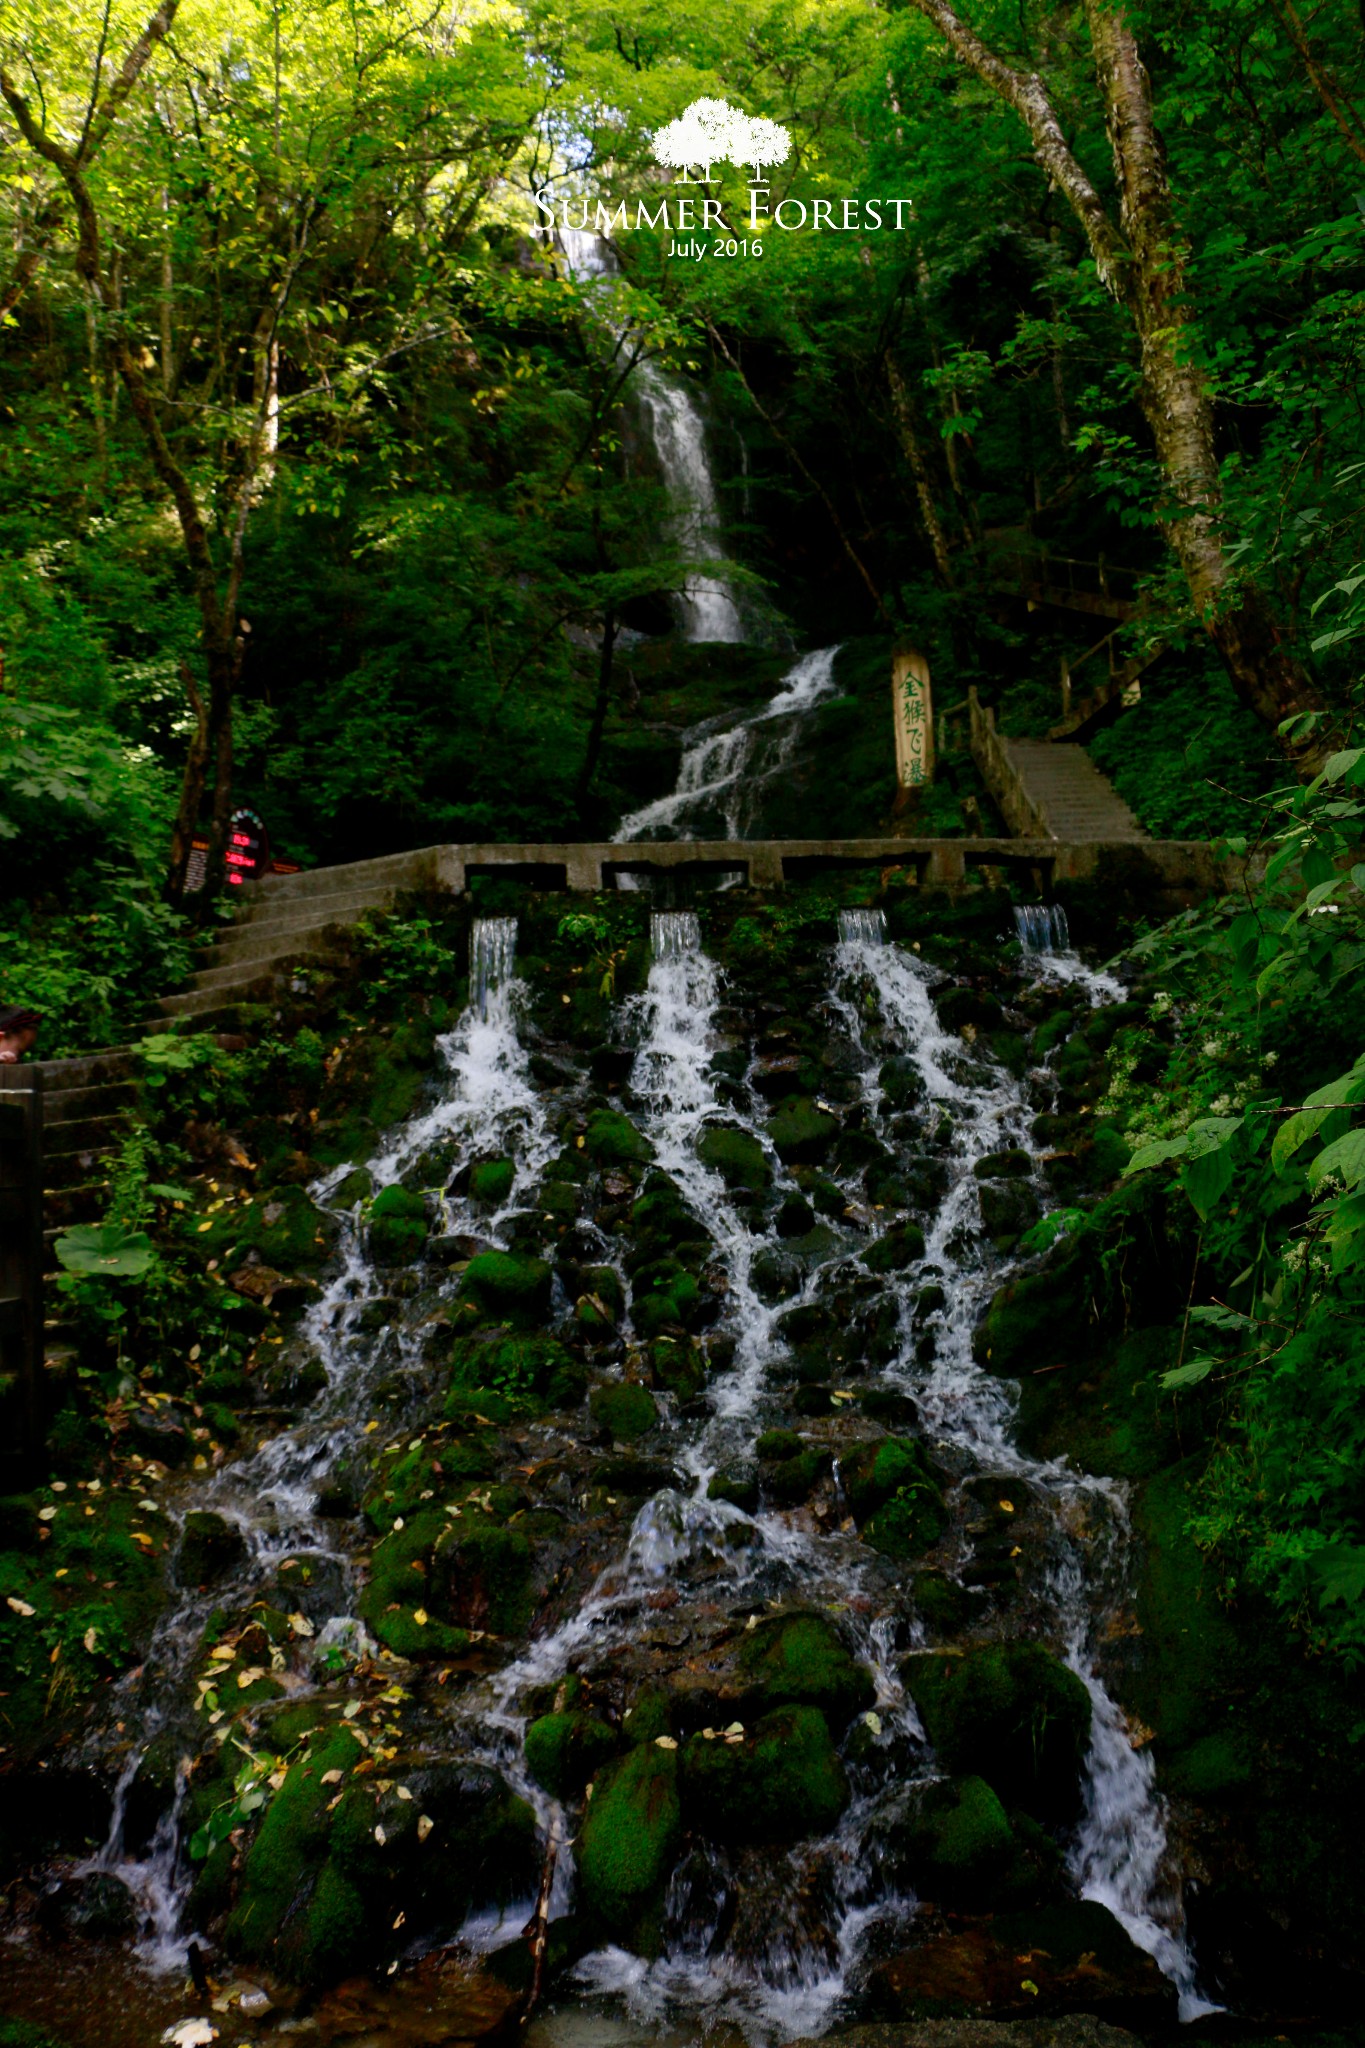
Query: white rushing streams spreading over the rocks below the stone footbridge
(803,1920)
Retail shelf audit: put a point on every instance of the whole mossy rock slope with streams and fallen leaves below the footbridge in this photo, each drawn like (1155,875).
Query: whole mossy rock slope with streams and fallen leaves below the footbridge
(627,1531)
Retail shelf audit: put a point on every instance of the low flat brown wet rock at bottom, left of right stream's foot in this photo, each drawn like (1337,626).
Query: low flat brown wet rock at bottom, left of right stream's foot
(1053,1961)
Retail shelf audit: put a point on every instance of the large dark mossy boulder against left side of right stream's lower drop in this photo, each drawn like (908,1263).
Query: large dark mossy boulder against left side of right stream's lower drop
(1008,1711)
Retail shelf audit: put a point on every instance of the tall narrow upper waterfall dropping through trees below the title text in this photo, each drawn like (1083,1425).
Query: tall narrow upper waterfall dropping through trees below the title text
(678,435)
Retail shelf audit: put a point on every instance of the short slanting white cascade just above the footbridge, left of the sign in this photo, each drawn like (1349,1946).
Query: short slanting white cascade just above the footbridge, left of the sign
(725,769)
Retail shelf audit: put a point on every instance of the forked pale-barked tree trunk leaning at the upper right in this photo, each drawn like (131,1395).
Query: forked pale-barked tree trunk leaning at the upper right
(1143,265)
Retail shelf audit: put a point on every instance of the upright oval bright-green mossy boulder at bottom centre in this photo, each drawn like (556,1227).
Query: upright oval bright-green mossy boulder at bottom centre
(629,1844)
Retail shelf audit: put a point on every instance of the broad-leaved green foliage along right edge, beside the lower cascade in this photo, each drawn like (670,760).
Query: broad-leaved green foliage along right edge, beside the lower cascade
(1262,1136)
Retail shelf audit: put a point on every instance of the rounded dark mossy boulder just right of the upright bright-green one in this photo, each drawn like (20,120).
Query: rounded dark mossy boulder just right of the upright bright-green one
(775,1783)
